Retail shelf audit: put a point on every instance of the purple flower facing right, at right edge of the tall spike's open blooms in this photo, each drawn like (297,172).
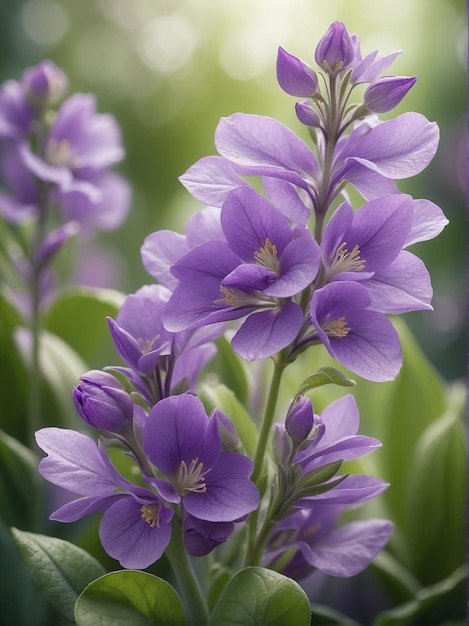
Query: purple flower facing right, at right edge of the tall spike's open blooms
(366,245)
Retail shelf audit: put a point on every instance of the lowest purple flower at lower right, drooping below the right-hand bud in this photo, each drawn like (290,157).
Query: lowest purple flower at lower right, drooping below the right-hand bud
(321,544)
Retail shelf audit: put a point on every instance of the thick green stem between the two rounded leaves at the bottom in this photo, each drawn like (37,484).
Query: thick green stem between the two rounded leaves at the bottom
(196,608)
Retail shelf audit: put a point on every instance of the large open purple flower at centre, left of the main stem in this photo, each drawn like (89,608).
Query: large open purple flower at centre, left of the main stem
(258,269)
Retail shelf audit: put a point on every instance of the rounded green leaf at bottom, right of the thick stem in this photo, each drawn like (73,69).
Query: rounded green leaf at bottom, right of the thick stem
(259,596)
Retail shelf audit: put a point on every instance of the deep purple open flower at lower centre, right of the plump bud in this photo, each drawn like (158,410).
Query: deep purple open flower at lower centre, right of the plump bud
(185,447)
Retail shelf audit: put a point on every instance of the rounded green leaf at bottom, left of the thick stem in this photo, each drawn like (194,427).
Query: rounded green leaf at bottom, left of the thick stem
(129,598)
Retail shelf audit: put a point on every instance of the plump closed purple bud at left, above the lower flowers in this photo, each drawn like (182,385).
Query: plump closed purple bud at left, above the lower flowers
(102,402)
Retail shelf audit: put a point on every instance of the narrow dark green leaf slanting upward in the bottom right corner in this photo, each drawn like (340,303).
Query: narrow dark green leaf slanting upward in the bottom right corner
(426,599)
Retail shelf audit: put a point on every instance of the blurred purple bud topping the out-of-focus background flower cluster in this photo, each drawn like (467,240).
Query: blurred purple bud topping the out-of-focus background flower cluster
(44,84)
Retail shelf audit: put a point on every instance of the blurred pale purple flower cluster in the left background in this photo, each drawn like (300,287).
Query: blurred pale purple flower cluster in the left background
(69,151)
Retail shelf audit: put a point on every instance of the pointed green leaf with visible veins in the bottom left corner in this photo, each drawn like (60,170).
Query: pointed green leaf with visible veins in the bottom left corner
(59,569)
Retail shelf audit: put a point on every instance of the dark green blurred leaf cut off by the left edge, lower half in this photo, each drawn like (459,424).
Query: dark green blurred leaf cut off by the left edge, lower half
(18,481)
